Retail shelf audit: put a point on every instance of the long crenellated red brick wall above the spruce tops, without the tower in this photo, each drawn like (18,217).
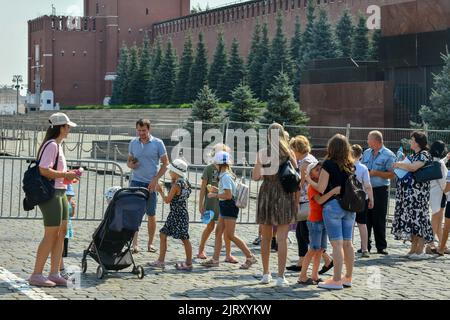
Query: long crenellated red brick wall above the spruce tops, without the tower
(238,21)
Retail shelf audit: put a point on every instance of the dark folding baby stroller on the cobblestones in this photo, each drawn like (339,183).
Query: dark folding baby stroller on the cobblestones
(113,238)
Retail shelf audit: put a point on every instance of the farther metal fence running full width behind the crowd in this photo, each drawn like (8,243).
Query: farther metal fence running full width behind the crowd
(109,140)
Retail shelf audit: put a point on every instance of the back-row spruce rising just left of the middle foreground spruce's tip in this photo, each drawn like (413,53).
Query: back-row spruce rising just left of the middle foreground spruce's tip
(234,73)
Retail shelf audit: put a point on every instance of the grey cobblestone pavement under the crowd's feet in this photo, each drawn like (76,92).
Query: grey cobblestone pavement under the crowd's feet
(378,277)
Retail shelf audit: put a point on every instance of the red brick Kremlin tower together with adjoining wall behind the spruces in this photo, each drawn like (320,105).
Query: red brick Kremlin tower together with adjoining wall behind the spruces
(77,64)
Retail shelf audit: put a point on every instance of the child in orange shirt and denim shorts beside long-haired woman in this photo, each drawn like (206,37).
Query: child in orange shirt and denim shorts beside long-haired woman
(316,227)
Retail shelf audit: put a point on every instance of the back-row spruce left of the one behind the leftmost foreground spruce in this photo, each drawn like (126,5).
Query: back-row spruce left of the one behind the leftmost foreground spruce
(181,93)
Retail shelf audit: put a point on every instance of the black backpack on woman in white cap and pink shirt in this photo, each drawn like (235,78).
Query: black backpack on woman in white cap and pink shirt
(37,189)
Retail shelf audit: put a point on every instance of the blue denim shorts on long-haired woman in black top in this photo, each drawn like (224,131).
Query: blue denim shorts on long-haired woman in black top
(339,222)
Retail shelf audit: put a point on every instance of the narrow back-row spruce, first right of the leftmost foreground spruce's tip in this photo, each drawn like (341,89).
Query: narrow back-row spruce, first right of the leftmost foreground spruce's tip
(218,66)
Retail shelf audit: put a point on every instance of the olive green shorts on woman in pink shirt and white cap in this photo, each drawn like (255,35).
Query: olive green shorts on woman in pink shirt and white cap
(56,209)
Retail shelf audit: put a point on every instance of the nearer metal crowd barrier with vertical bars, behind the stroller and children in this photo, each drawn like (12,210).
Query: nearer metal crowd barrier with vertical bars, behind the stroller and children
(89,193)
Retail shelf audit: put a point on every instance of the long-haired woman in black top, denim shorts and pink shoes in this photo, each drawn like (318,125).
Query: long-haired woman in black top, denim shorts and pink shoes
(336,170)
